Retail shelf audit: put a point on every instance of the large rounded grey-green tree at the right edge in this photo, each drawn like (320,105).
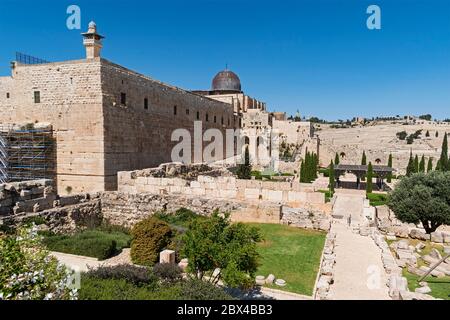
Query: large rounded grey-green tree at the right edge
(423,198)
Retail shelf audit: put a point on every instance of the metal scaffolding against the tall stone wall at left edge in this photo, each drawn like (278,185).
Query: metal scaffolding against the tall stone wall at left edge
(26,153)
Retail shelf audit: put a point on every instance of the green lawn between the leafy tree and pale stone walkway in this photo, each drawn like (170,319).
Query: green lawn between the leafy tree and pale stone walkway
(291,254)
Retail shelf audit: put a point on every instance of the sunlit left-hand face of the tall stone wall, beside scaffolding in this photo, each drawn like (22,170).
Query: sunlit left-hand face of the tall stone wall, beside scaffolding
(71,101)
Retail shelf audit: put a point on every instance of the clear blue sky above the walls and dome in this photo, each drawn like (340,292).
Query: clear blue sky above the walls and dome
(315,55)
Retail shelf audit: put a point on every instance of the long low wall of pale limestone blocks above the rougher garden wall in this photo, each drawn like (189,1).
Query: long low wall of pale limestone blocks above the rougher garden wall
(292,193)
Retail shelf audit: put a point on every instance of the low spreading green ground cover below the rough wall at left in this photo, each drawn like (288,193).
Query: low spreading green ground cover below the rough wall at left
(91,243)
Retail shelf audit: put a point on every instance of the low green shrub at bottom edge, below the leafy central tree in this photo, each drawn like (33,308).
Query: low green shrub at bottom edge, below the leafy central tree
(194,289)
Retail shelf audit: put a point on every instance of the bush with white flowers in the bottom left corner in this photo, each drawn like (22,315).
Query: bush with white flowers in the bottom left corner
(28,272)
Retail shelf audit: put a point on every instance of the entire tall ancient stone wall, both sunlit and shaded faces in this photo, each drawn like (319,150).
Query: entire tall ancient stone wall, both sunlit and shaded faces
(96,134)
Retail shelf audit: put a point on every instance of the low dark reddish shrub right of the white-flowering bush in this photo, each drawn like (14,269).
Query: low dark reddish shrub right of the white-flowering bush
(136,275)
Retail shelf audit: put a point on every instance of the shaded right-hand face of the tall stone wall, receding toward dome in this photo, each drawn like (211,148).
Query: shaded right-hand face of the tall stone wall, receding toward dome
(138,138)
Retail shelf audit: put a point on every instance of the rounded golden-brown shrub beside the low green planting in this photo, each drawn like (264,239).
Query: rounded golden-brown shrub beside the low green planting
(150,236)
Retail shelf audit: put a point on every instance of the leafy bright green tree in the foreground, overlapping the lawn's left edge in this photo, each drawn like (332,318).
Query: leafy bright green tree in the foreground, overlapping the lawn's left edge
(217,243)
